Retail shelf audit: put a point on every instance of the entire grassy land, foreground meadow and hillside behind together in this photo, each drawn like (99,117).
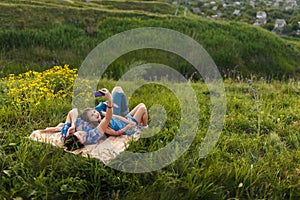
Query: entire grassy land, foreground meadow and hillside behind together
(256,156)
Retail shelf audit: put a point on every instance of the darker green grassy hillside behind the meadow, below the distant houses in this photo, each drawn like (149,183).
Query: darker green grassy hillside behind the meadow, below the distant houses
(39,34)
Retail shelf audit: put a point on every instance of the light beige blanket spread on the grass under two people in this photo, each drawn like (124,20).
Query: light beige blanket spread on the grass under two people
(105,150)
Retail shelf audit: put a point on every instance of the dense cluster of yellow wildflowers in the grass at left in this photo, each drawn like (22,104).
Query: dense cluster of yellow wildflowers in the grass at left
(30,88)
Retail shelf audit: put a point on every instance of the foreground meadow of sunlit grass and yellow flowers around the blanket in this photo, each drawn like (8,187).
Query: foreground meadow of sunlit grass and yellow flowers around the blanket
(256,157)
